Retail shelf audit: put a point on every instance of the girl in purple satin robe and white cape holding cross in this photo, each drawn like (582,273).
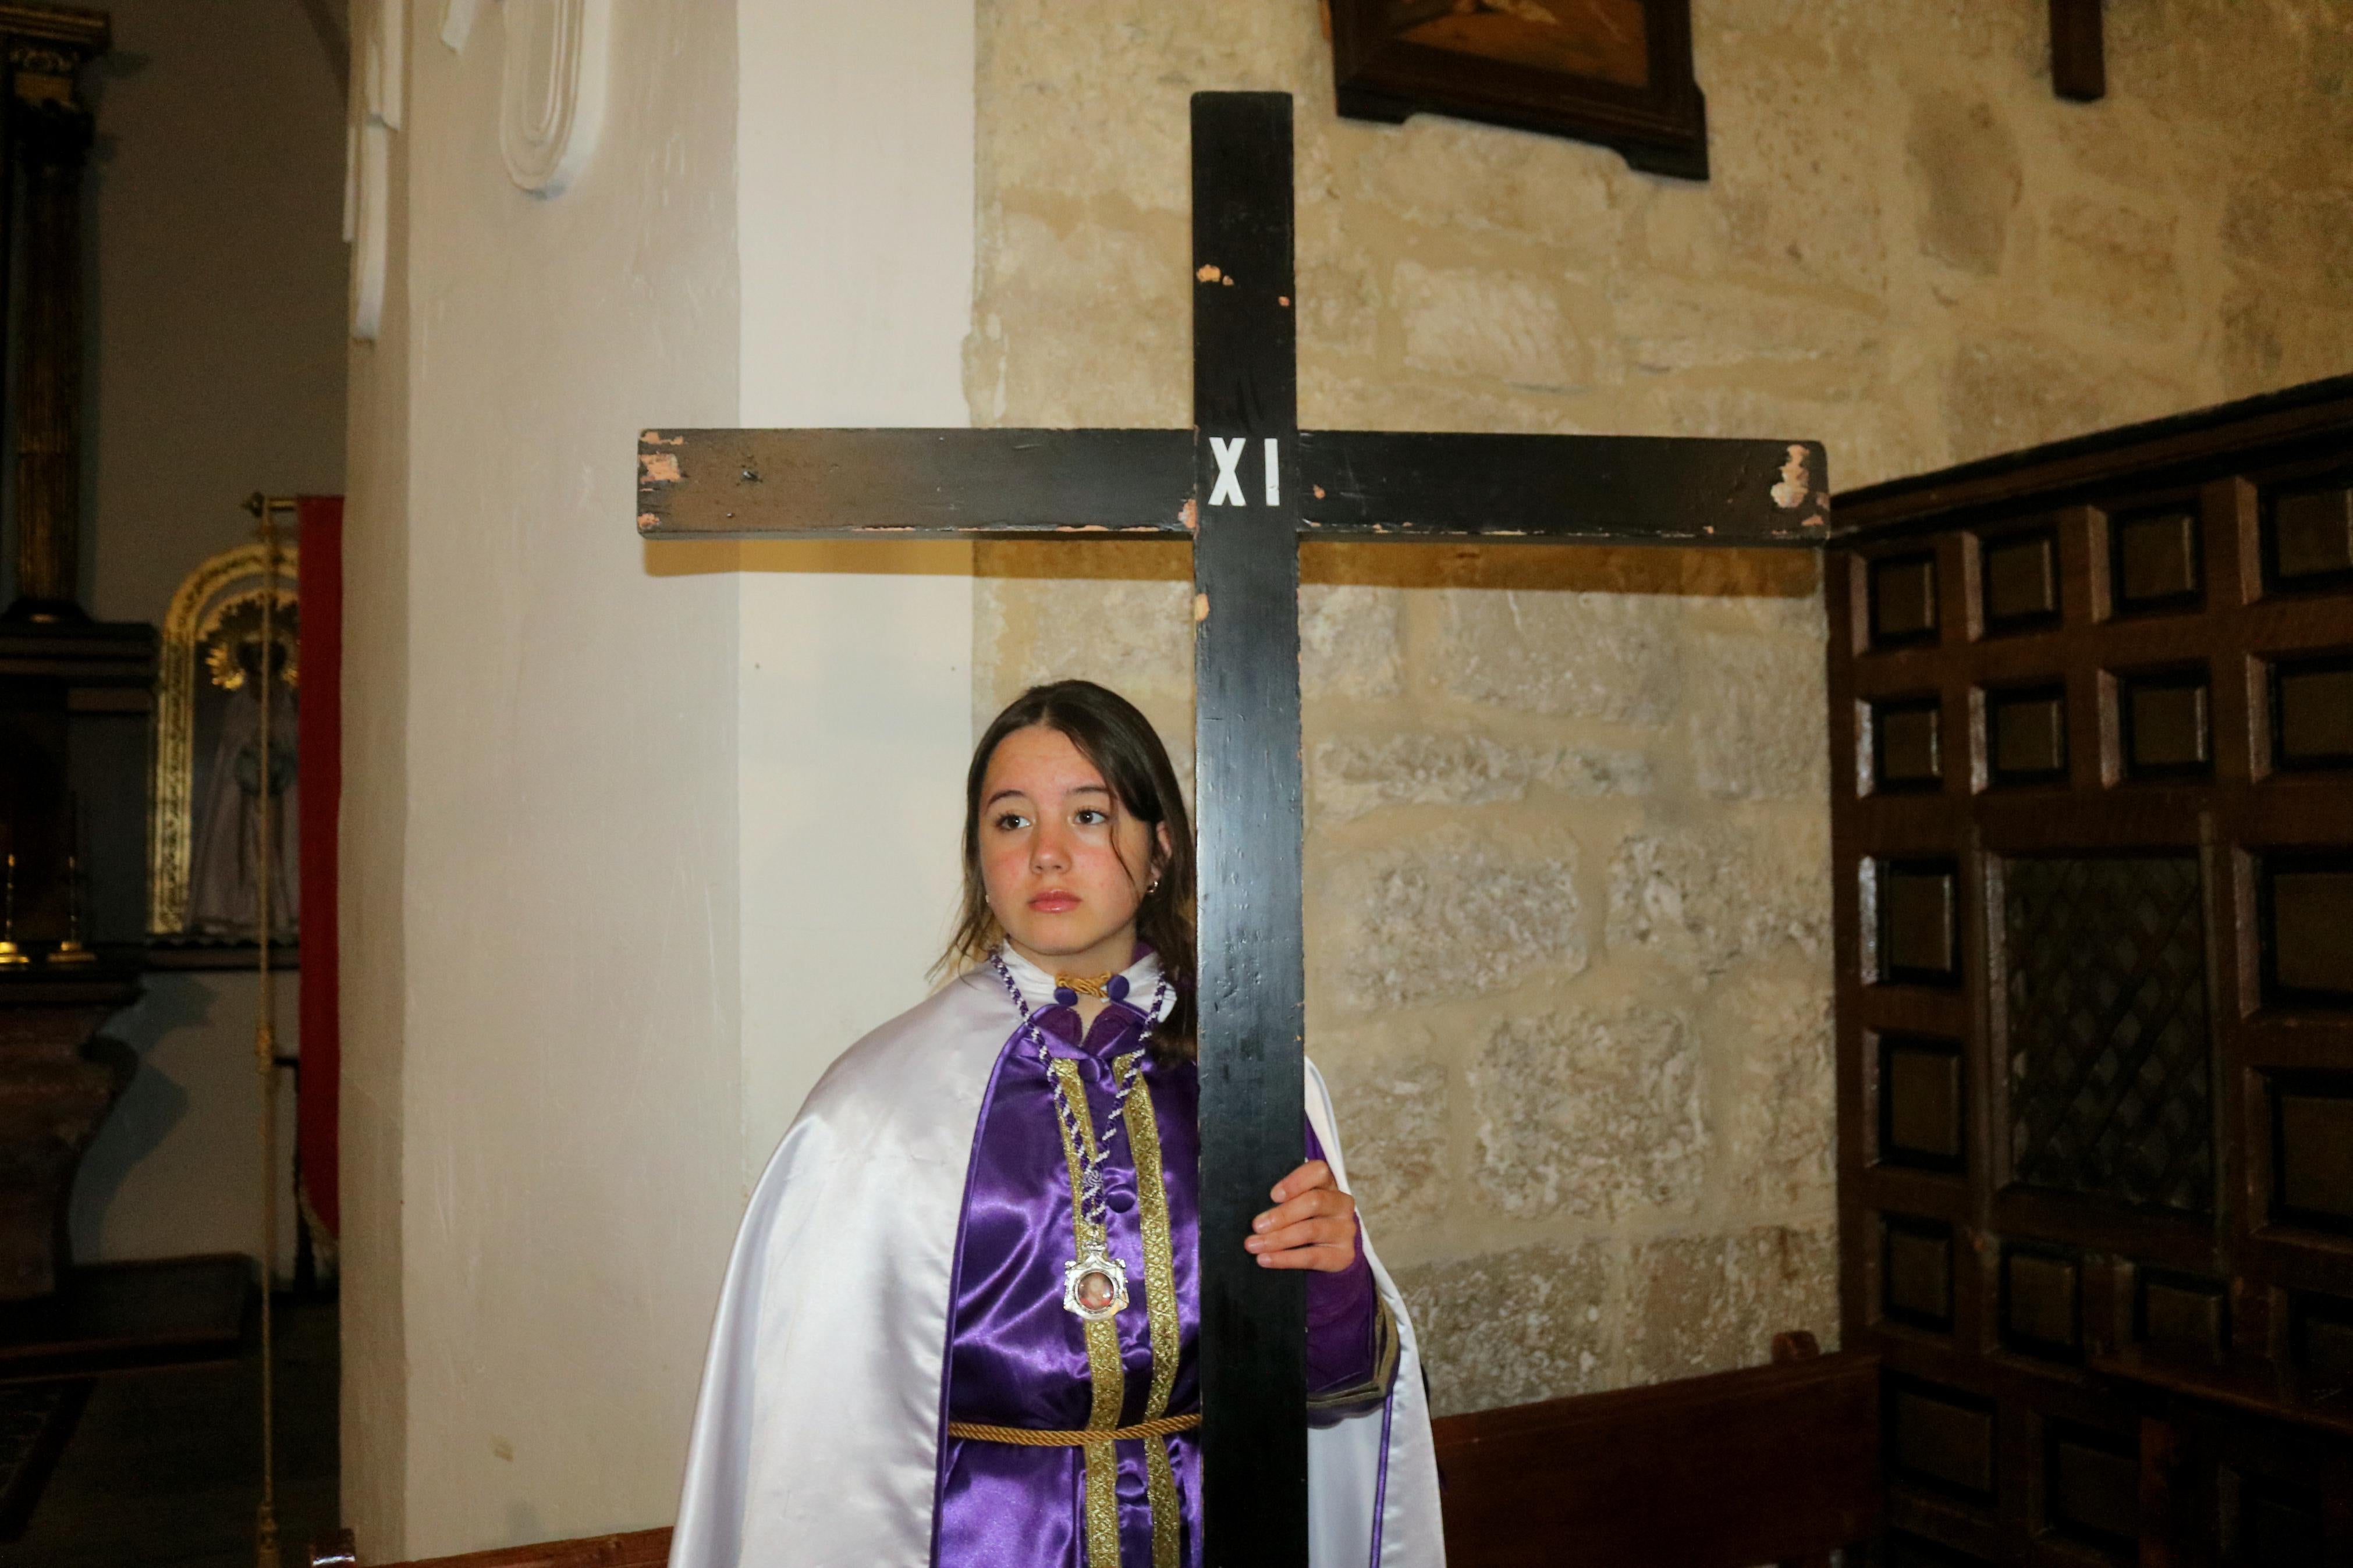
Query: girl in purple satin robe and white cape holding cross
(961,1315)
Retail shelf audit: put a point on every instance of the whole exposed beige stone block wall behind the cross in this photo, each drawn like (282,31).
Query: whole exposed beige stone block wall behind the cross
(1568,810)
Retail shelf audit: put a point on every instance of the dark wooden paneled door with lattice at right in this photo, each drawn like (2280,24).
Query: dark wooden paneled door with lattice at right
(2093,739)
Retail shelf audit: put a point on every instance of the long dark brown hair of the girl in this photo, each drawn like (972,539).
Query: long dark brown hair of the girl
(1126,751)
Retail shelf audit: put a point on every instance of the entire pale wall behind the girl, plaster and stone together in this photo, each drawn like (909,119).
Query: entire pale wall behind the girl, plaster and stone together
(1568,810)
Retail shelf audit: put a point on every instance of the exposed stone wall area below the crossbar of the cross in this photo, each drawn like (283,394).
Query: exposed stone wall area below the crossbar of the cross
(1568,927)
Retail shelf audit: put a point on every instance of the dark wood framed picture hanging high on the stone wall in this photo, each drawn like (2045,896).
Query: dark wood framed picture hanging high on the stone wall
(1611,72)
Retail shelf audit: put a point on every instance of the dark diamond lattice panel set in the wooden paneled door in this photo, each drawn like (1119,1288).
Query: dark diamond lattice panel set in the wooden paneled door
(2107,1021)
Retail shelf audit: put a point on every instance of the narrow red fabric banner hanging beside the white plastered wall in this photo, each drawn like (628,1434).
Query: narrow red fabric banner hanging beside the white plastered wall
(319,739)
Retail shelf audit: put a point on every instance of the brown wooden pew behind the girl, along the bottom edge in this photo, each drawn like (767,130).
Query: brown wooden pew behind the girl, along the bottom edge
(1766,1466)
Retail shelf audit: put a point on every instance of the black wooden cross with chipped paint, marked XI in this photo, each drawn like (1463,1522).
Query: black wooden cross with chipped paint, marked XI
(1244,485)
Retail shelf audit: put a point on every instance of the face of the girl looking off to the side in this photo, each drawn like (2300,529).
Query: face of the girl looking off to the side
(1062,862)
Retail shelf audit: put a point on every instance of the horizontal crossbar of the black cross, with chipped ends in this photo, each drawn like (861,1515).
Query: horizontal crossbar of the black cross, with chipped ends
(1599,490)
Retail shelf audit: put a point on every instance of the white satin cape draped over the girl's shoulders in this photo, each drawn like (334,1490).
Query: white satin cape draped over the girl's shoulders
(818,1430)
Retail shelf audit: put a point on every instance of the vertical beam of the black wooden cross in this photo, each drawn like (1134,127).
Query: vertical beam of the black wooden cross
(1246,725)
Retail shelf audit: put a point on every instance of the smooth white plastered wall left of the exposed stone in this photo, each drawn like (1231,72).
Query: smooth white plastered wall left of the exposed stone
(651,836)
